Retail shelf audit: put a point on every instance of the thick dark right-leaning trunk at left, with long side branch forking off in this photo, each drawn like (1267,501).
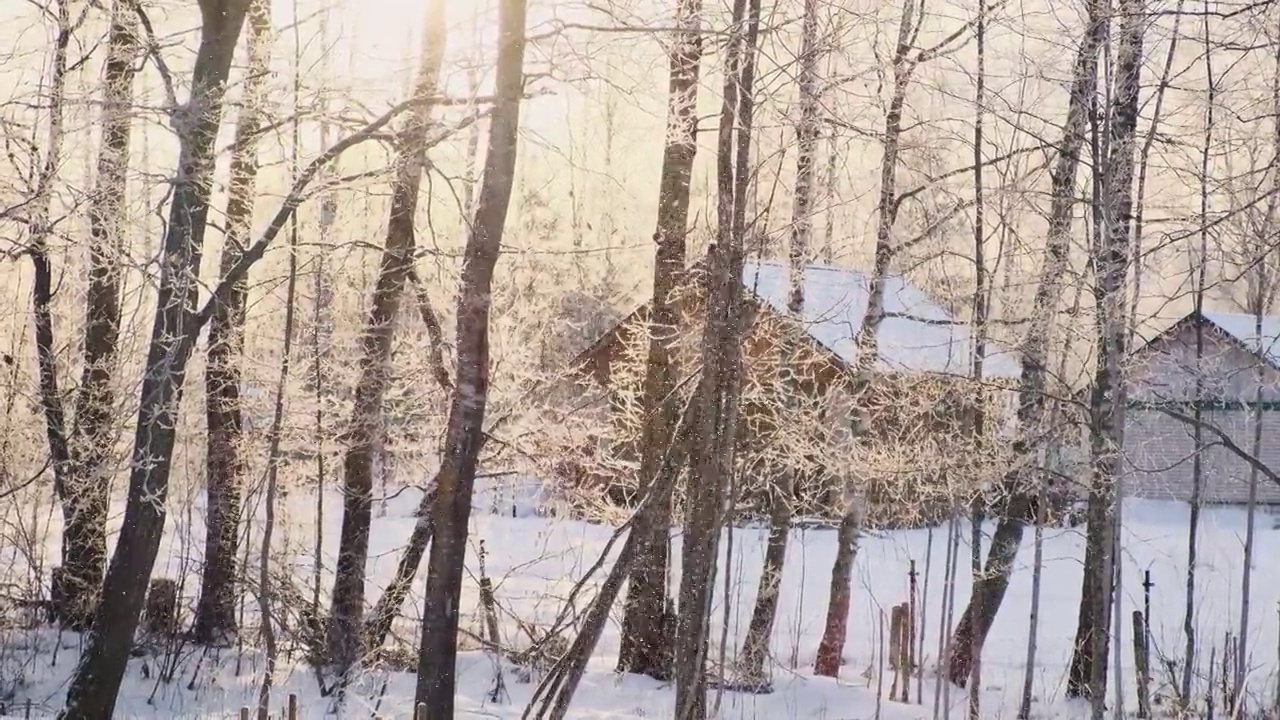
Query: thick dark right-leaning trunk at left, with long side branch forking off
(97,682)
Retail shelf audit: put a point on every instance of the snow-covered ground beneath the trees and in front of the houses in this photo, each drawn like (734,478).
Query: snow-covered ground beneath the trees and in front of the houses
(536,560)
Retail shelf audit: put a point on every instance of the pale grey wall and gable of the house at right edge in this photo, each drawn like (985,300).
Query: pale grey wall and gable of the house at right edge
(1159,448)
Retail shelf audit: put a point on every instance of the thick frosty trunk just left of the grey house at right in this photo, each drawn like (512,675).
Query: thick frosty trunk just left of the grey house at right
(1089,673)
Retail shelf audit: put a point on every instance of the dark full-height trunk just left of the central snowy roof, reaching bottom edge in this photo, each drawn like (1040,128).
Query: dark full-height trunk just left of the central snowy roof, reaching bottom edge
(712,461)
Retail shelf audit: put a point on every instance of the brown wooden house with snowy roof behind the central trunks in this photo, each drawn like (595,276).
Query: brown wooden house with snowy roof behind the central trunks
(925,395)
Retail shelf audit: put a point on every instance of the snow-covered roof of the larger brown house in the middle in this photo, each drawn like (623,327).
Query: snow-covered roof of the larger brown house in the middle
(917,336)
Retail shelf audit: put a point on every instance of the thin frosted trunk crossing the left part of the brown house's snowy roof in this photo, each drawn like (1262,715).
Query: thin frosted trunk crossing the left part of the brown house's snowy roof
(756,648)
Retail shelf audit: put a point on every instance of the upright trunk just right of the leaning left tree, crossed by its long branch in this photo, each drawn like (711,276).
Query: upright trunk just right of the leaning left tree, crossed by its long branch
(225,463)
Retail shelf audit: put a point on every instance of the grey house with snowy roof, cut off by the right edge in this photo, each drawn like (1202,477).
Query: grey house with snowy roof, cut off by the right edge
(1235,379)
